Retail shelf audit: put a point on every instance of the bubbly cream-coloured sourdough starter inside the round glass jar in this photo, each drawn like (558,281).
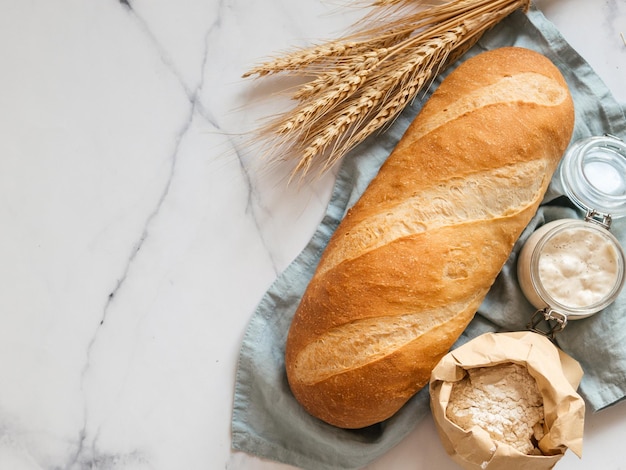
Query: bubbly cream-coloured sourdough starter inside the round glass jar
(578,267)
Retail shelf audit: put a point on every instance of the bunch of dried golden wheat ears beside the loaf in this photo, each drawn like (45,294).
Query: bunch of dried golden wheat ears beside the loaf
(361,82)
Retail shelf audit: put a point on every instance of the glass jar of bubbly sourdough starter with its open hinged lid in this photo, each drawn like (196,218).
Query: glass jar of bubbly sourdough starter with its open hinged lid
(570,268)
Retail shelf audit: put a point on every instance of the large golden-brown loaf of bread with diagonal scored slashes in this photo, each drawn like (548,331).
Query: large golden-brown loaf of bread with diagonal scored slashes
(407,268)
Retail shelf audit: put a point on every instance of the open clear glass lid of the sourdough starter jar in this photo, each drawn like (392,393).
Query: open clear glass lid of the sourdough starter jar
(593,174)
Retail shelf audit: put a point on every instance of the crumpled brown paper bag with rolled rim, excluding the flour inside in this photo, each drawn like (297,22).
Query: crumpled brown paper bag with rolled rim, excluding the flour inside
(557,376)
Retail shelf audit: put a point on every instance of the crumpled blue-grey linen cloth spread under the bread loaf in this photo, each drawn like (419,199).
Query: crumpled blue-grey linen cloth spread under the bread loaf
(266,419)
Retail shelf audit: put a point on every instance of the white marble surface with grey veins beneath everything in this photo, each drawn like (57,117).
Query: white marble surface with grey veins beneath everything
(136,237)
